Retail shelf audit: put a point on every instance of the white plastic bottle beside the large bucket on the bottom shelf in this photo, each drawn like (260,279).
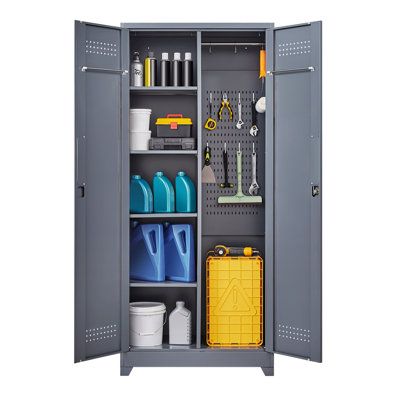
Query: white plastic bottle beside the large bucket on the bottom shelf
(180,325)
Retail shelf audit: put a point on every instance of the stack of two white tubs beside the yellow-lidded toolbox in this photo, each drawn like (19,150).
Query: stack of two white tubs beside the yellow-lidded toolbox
(139,127)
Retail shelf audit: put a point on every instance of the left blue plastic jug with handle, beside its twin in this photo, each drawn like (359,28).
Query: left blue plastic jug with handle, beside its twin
(147,260)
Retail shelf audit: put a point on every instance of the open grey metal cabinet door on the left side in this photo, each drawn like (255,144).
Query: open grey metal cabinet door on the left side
(101,190)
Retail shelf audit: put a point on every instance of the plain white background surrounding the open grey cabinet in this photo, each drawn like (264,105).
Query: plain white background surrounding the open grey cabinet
(361,206)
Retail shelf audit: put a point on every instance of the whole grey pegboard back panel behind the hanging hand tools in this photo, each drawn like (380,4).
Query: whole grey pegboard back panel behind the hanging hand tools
(240,219)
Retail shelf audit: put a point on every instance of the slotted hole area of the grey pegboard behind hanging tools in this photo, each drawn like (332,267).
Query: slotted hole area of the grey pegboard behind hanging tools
(226,131)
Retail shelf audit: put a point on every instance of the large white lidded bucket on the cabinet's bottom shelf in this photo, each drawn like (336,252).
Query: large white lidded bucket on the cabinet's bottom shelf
(146,322)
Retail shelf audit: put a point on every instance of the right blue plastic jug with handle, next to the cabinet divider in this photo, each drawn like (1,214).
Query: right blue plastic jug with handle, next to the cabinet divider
(179,253)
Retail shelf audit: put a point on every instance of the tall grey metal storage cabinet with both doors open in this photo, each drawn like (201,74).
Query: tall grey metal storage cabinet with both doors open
(286,227)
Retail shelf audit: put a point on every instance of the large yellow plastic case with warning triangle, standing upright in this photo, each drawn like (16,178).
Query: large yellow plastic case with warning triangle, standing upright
(234,301)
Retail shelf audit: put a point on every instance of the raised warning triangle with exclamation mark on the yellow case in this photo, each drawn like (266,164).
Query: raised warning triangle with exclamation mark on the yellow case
(234,301)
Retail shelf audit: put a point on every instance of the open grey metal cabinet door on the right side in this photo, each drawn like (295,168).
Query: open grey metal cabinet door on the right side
(294,225)
